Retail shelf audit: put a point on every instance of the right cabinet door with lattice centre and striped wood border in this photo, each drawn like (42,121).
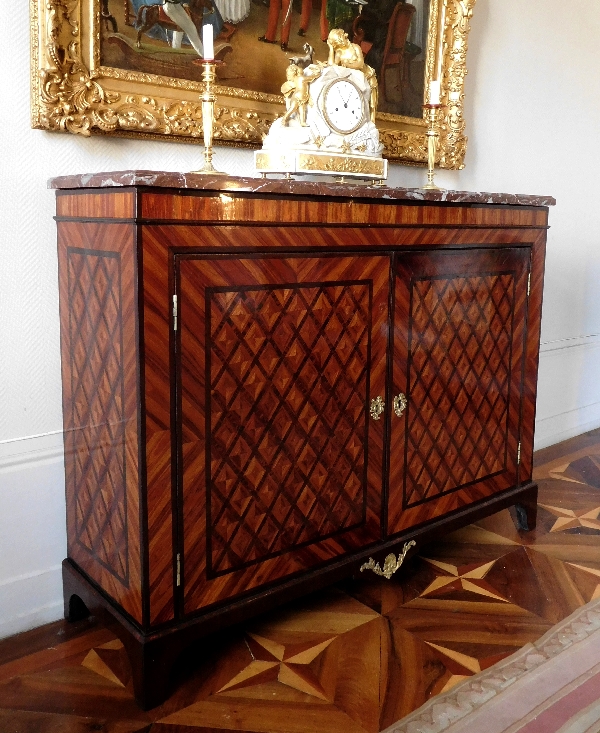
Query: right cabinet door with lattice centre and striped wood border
(458,345)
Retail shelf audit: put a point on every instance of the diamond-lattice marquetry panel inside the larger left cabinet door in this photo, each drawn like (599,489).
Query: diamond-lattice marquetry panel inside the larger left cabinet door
(288,381)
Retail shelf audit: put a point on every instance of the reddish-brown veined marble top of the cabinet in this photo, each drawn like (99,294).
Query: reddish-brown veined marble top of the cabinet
(164,179)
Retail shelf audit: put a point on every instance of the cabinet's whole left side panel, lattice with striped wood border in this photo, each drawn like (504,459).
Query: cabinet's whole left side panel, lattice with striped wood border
(97,270)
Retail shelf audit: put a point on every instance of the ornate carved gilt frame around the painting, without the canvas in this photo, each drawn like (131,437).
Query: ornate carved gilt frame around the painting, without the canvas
(72,92)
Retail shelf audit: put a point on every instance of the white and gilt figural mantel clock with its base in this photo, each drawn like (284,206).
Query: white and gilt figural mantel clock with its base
(329,124)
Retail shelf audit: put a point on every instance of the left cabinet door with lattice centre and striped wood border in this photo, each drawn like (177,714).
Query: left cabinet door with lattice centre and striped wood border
(281,464)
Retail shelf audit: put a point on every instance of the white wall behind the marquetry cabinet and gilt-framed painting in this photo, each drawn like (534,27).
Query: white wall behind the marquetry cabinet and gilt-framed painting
(533,105)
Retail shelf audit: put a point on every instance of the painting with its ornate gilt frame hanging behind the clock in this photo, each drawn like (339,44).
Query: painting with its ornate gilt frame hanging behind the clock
(131,67)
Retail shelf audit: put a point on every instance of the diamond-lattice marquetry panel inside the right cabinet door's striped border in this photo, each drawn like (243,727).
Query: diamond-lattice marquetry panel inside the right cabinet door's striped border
(459,376)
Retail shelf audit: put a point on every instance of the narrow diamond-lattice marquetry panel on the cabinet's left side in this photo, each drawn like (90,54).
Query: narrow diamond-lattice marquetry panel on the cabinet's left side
(97,407)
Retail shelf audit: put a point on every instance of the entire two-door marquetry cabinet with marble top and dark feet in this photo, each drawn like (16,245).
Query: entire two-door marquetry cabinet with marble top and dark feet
(269,385)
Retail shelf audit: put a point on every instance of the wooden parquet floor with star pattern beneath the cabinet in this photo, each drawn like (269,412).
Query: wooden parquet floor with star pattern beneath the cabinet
(354,658)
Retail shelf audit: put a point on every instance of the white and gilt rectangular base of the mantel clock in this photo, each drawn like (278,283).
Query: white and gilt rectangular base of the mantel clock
(320,163)
